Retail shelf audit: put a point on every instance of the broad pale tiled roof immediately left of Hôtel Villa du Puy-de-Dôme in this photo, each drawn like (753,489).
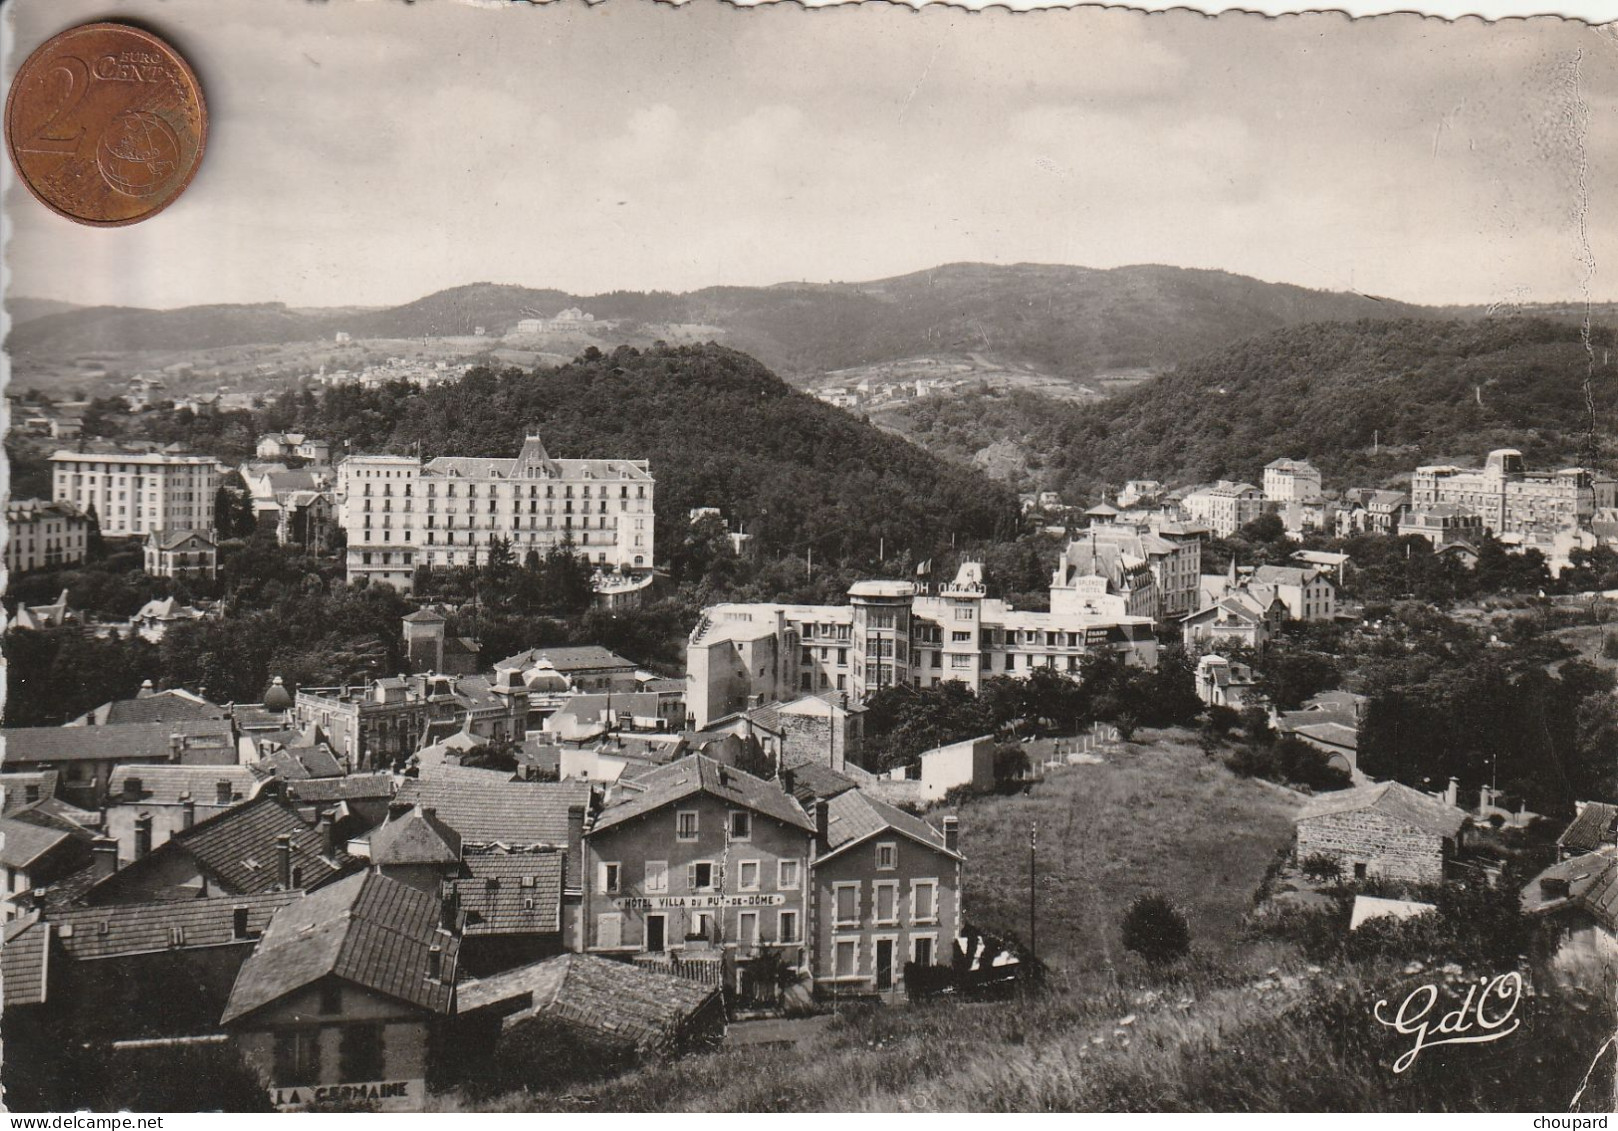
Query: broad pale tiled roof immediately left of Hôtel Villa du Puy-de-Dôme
(504,813)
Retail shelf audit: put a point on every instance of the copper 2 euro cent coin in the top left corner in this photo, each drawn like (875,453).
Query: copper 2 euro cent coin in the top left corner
(106,124)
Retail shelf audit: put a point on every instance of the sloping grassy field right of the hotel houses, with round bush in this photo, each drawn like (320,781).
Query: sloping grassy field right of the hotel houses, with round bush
(1158,816)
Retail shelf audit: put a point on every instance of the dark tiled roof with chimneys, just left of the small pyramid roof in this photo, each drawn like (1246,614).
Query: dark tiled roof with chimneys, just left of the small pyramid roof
(240,847)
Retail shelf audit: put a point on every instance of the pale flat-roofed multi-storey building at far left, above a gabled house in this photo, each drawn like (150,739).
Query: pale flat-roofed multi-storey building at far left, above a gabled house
(137,493)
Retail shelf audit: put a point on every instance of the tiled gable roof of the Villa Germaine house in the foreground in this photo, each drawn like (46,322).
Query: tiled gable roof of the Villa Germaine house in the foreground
(366,930)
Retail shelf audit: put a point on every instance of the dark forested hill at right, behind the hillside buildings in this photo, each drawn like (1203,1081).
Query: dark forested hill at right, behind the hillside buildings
(1417,391)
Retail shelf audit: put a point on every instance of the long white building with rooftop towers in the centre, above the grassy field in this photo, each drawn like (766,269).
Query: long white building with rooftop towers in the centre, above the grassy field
(891,633)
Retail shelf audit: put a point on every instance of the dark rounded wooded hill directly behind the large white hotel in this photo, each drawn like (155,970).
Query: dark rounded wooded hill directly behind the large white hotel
(719,428)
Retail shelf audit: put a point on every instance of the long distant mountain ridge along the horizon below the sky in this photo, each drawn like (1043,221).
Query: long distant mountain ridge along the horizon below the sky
(1067,321)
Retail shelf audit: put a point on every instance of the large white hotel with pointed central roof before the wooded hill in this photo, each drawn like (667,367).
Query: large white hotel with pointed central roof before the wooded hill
(402,514)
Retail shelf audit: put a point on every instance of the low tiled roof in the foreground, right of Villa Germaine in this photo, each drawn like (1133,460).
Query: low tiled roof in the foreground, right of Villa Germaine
(619,1002)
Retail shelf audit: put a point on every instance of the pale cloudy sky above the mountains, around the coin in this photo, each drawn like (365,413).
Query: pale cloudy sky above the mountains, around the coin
(365,153)
